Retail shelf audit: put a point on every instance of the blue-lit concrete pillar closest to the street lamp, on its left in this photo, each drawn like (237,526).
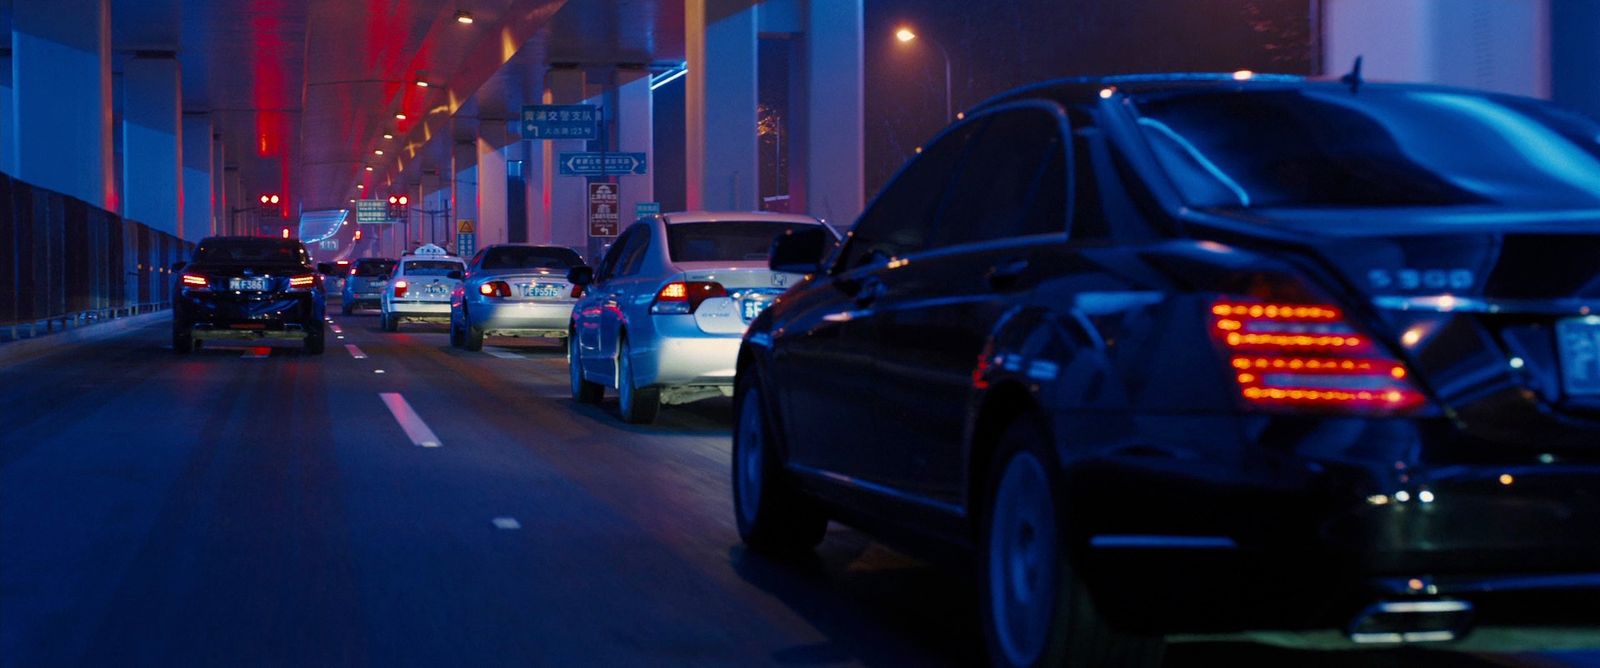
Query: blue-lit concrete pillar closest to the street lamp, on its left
(830,138)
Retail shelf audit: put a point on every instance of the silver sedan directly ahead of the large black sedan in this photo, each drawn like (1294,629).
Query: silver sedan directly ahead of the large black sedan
(663,312)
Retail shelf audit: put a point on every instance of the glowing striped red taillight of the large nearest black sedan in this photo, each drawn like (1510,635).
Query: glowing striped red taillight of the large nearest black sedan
(1308,356)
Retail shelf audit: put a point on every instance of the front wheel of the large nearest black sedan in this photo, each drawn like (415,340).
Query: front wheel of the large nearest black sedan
(772,515)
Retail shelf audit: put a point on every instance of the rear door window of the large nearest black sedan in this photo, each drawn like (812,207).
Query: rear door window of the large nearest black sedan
(1014,183)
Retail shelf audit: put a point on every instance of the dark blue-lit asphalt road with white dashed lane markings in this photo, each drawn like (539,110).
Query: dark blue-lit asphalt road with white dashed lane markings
(249,507)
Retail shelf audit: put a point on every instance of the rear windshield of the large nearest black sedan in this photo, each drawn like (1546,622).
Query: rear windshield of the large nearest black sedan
(1375,148)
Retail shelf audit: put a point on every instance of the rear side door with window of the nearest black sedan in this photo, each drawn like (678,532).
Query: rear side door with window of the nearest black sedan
(1006,209)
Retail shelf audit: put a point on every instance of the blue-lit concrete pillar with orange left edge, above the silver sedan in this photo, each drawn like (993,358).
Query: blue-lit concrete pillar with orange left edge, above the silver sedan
(721,106)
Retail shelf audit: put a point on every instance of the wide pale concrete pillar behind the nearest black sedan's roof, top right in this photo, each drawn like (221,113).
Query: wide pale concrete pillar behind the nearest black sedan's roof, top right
(1495,46)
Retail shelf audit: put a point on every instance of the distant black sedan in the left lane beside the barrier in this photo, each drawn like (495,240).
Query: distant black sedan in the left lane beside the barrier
(249,288)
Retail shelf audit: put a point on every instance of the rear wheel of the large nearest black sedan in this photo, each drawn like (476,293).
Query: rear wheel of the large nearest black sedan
(1036,608)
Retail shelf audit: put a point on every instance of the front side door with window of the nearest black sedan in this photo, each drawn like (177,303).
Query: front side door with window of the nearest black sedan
(825,365)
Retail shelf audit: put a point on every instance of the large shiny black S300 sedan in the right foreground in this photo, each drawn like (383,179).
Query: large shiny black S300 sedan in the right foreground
(1206,354)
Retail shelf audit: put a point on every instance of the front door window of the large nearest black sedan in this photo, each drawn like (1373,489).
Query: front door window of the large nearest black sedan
(900,220)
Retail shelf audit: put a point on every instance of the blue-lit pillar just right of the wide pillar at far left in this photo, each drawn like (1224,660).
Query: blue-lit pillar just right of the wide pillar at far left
(153,143)
